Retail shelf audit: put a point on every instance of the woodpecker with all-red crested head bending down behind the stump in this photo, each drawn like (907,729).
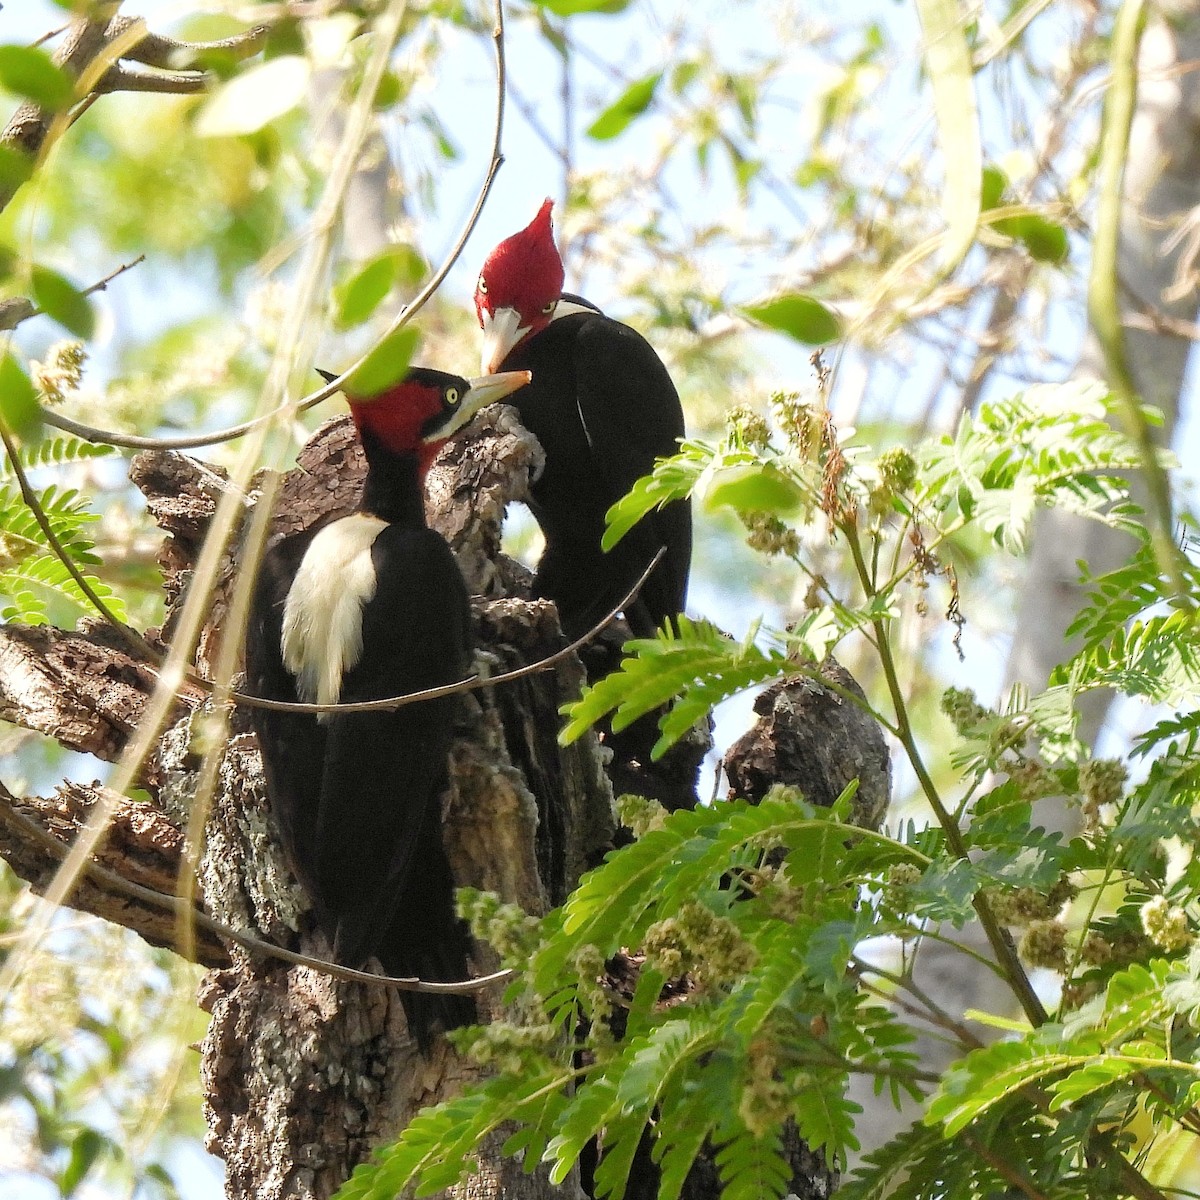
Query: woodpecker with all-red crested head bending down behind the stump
(604,409)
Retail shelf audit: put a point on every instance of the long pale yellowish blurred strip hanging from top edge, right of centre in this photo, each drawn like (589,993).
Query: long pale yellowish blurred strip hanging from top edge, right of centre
(949,62)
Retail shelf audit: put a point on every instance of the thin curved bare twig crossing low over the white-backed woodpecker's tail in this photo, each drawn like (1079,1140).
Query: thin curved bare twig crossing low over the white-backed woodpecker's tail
(116,883)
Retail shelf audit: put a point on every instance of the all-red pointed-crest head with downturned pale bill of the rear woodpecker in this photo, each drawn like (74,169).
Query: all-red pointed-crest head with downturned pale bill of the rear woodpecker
(519,289)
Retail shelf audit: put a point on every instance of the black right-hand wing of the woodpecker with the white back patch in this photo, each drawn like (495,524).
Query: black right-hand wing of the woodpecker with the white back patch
(379,824)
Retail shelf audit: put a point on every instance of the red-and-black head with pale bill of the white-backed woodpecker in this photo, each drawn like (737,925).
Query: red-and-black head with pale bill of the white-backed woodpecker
(421,413)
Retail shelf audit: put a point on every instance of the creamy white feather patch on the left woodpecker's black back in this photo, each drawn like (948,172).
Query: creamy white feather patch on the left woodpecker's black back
(323,614)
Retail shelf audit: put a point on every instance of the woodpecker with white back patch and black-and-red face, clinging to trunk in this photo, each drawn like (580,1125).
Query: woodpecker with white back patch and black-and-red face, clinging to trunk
(365,608)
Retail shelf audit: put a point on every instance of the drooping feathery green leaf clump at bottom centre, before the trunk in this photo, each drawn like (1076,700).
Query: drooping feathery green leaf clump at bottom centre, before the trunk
(763,976)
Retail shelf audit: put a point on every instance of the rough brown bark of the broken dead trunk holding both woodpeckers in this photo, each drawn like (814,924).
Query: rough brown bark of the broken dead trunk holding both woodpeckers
(303,1073)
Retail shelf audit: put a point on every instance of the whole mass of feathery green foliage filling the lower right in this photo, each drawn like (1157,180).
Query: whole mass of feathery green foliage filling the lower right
(759,909)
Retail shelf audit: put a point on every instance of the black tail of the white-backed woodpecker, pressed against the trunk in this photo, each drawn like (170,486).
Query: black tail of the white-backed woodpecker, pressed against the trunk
(427,940)
